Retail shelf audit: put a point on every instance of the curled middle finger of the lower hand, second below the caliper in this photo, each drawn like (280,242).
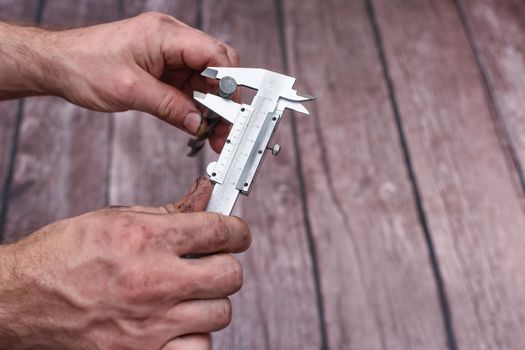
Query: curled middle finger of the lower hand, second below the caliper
(211,277)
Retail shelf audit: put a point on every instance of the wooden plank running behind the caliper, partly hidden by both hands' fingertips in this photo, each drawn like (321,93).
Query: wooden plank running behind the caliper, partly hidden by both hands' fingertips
(276,309)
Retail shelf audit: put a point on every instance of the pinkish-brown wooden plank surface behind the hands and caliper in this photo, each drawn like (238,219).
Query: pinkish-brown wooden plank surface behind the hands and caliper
(394,216)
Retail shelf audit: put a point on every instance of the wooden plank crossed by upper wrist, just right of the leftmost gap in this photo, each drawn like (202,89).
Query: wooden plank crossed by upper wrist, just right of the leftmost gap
(61,164)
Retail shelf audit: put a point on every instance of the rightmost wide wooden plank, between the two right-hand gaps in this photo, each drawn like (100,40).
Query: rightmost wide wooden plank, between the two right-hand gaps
(467,183)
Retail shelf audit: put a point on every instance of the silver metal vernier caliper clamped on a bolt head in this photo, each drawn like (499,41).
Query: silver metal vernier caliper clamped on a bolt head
(252,127)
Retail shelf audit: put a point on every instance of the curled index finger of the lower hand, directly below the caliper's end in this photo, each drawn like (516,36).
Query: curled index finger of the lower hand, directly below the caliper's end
(205,233)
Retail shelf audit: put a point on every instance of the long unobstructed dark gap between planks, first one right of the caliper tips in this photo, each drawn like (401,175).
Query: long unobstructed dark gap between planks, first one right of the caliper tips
(443,300)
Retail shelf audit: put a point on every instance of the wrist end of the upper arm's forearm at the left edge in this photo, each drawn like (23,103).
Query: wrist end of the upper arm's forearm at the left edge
(26,62)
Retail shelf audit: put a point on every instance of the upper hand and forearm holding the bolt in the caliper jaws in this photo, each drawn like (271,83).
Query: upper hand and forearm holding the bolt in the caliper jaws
(150,63)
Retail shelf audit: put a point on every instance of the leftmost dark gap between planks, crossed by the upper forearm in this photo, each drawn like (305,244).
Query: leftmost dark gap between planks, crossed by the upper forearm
(6,186)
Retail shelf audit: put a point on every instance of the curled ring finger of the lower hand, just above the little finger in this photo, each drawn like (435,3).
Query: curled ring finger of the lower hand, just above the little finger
(200,316)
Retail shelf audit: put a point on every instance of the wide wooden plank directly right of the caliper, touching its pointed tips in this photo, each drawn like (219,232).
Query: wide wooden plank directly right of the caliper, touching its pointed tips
(376,277)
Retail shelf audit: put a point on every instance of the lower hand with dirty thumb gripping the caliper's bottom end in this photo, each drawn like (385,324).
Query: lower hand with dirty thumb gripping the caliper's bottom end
(119,278)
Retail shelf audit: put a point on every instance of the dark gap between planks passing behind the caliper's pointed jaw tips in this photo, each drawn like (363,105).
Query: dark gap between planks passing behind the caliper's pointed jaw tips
(299,171)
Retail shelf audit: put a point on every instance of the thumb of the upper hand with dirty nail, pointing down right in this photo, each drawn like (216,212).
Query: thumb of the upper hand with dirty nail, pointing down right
(169,104)
